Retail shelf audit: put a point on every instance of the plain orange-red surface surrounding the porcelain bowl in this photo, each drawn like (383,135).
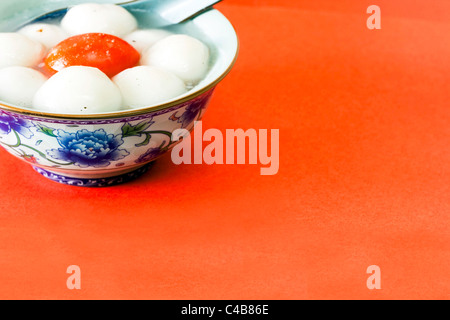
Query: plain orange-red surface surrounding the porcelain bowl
(363,180)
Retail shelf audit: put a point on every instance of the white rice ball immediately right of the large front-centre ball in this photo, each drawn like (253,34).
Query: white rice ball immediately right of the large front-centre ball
(145,86)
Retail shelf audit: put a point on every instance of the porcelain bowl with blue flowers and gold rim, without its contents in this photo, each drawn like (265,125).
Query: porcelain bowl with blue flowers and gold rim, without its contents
(111,148)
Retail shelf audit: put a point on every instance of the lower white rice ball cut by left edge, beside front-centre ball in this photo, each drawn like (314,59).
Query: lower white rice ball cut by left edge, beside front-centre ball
(18,85)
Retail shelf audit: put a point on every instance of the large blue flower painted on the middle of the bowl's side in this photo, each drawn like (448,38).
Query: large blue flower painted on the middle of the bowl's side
(88,149)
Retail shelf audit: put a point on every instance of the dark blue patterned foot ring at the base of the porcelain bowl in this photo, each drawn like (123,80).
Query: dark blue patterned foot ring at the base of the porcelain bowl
(94,182)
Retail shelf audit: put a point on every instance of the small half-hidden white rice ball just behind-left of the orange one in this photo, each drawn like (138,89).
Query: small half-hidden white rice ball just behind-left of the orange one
(47,34)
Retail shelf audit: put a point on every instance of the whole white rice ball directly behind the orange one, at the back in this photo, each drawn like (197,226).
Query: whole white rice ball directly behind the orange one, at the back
(99,18)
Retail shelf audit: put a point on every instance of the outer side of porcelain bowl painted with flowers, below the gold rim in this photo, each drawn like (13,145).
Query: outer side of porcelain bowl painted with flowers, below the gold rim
(100,149)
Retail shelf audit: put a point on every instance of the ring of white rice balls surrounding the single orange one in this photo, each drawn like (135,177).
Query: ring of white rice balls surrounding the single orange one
(170,65)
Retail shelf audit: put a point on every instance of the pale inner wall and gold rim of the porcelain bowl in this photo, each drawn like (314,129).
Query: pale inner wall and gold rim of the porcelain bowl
(211,27)
